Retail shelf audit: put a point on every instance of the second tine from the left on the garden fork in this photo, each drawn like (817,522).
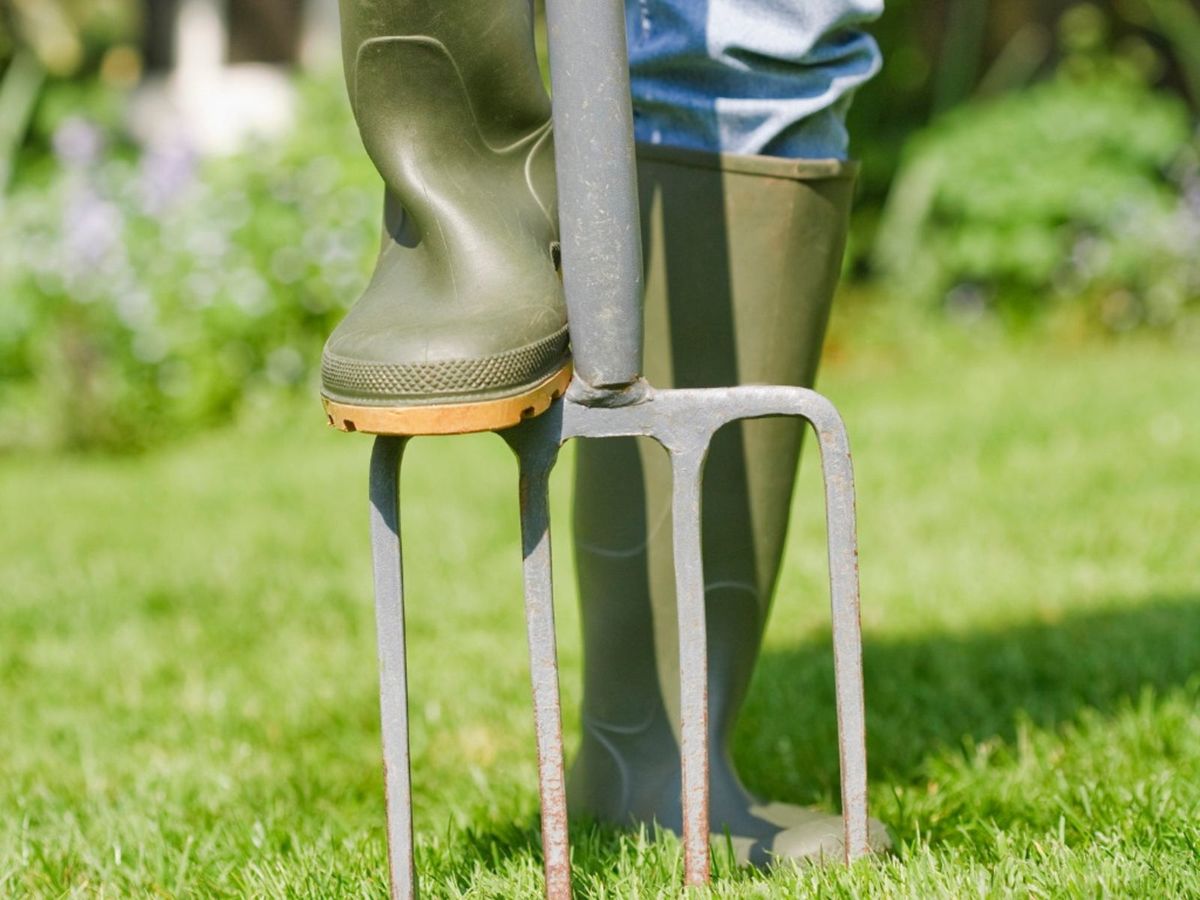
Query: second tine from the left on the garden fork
(537,452)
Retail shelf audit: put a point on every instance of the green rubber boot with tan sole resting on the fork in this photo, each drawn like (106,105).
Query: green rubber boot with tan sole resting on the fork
(464,326)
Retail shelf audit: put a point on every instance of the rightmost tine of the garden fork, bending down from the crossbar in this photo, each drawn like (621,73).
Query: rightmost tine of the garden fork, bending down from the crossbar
(848,634)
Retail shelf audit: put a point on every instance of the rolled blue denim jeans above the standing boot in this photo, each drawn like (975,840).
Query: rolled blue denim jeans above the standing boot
(770,77)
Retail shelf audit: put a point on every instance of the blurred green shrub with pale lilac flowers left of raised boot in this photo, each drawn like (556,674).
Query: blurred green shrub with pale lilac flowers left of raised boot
(148,293)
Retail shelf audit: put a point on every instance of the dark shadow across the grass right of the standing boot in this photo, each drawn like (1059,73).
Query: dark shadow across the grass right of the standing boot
(934,692)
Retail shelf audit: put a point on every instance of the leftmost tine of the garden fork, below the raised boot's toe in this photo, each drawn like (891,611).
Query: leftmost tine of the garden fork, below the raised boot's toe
(389,586)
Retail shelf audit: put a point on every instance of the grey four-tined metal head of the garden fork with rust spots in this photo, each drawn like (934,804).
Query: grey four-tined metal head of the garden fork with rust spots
(685,423)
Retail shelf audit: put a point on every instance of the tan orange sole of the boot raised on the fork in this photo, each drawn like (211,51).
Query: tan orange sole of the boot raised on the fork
(451,418)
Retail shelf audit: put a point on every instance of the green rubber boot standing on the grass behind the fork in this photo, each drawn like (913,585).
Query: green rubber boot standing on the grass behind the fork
(742,257)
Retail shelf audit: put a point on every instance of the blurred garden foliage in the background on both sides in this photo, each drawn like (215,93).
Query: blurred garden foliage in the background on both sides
(1030,164)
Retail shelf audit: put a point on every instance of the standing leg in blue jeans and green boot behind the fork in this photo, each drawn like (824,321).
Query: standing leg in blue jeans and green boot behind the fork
(742,256)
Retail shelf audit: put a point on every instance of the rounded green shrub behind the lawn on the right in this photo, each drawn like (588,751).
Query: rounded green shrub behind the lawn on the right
(1078,190)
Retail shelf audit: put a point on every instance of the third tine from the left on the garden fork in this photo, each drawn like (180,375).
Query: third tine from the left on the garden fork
(687,469)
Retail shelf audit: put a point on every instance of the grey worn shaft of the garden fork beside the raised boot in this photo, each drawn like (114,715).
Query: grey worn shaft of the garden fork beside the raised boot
(601,227)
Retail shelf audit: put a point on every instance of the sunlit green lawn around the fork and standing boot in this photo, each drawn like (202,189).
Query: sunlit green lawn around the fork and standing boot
(188,676)
